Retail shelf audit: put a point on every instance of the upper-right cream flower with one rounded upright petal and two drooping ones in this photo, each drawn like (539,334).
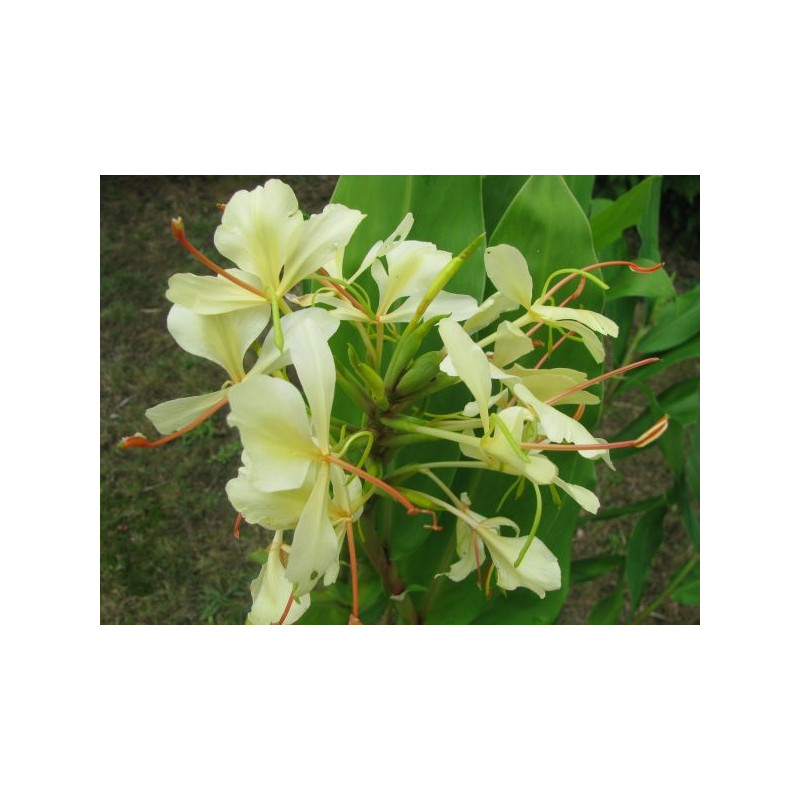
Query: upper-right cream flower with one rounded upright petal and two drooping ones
(508,271)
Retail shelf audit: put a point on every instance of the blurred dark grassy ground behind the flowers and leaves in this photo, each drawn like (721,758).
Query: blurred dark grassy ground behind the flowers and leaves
(168,555)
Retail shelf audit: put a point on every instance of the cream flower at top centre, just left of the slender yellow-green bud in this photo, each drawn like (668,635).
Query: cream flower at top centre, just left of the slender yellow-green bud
(411,268)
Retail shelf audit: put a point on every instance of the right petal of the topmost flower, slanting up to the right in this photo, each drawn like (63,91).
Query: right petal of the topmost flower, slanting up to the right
(318,241)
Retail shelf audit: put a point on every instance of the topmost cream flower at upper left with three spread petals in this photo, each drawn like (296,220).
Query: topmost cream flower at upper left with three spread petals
(263,232)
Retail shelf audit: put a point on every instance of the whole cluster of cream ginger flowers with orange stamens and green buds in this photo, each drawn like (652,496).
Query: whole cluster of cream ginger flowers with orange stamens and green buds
(309,478)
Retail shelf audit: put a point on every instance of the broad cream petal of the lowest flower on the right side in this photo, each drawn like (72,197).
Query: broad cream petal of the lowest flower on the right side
(539,570)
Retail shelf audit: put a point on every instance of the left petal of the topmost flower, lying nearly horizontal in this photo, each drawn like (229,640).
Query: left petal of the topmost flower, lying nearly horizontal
(213,294)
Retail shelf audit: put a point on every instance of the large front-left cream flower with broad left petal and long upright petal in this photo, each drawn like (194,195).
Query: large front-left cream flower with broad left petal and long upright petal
(283,446)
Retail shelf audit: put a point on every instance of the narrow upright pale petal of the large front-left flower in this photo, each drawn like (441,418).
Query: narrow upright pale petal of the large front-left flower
(313,360)
